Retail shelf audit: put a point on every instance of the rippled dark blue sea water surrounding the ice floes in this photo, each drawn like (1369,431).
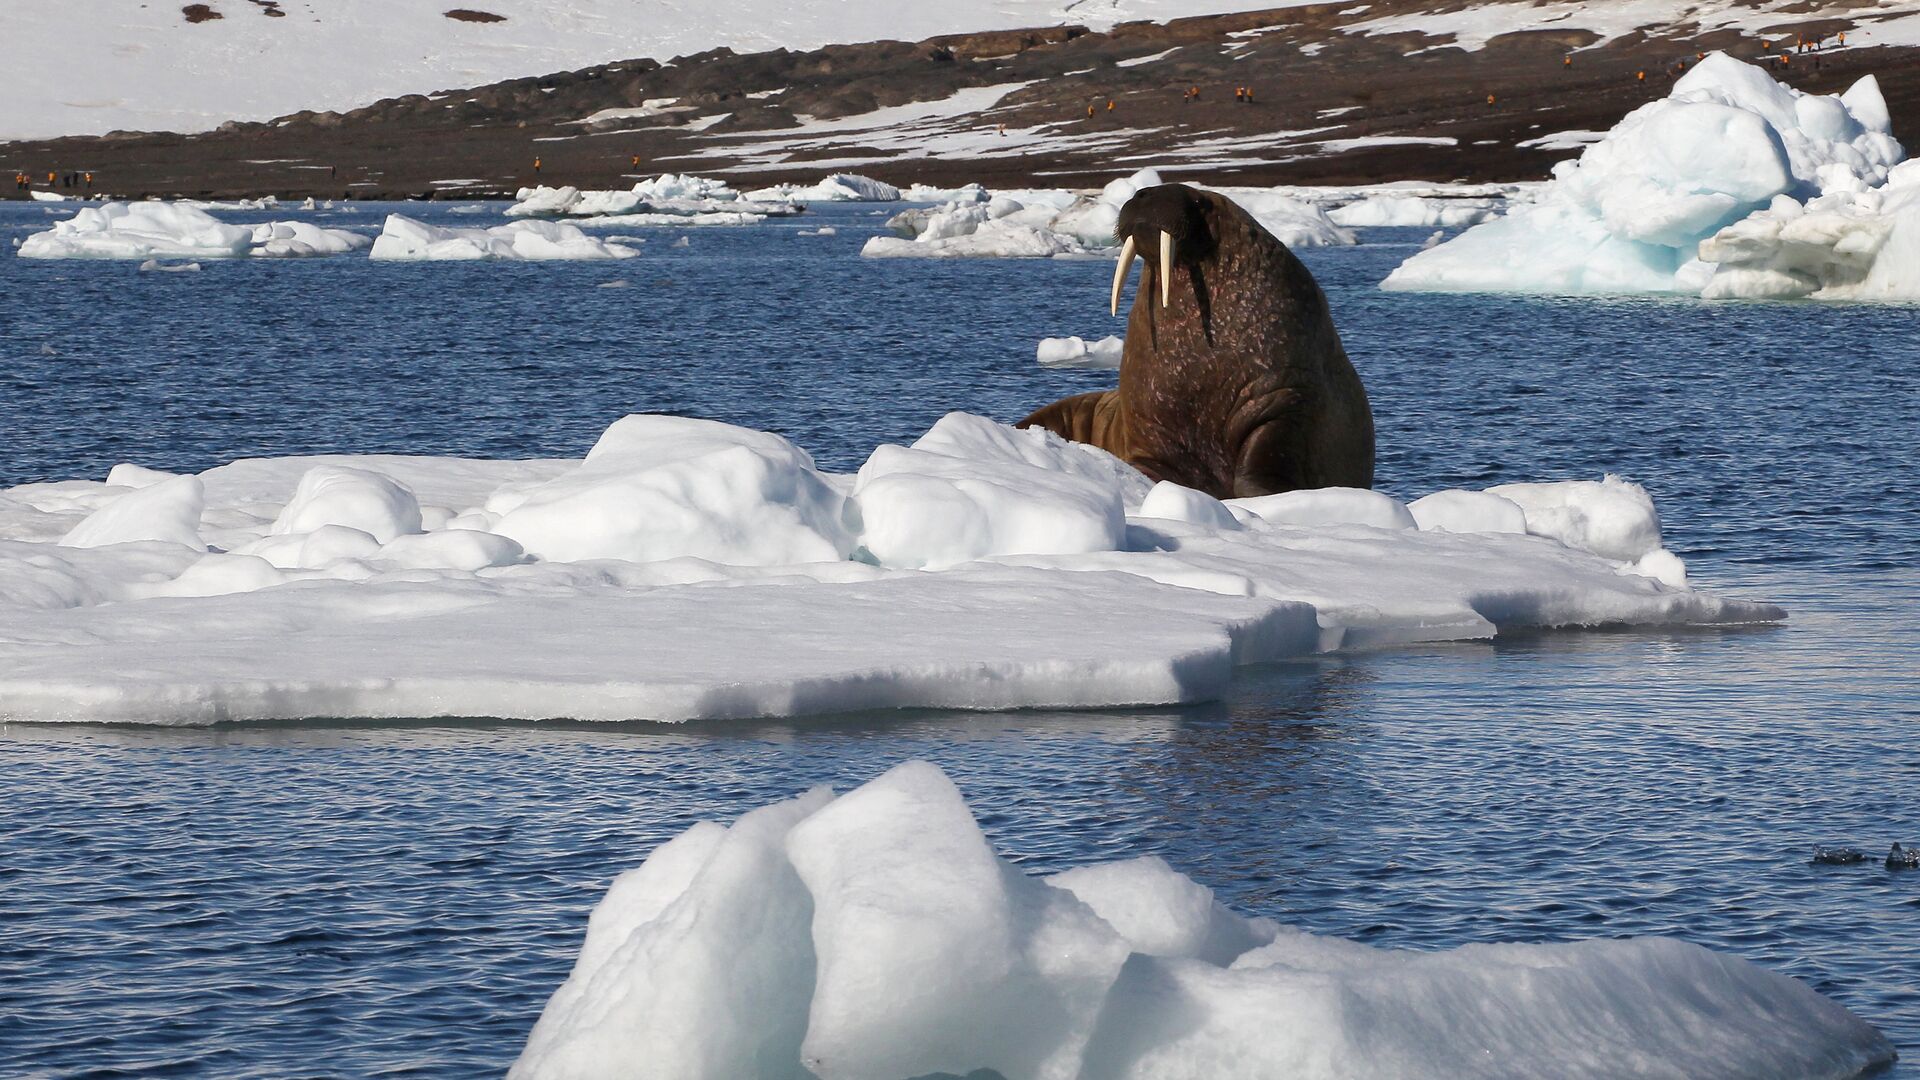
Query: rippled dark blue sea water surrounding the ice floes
(354,900)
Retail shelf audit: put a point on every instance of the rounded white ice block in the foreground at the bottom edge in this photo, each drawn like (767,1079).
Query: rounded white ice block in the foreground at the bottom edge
(878,935)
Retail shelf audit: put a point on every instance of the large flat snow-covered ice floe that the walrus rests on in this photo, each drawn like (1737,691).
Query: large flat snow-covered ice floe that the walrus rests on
(690,570)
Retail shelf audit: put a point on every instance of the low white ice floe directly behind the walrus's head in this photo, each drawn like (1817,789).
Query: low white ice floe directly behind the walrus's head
(1034,226)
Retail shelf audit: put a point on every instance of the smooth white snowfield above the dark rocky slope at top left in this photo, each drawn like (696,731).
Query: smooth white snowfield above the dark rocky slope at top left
(149,70)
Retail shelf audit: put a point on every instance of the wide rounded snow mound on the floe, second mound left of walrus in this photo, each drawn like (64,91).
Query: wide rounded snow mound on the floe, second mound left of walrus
(669,487)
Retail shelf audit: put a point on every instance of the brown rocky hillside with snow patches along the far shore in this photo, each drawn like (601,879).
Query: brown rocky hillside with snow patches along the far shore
(1339,93)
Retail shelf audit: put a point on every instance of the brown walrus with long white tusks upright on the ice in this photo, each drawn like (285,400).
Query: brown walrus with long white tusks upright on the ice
(1234,380)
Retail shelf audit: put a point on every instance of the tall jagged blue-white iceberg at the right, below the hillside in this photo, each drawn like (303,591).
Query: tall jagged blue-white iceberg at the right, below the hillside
(1731,187)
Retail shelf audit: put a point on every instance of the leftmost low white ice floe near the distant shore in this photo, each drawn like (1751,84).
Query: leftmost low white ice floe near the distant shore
(180,232)
